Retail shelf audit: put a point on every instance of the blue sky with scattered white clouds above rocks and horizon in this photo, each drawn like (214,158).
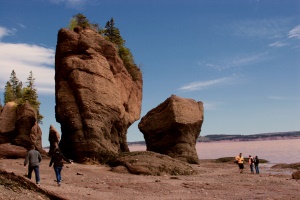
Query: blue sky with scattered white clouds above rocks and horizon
(240,58)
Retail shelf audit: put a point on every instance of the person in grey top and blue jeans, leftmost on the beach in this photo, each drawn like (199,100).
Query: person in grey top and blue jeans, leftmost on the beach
(33,159)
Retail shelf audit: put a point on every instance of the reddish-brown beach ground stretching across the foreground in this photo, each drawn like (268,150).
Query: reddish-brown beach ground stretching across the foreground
(213,181)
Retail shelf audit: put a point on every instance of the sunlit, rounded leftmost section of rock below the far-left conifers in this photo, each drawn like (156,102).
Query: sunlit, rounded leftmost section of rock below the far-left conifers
(8,118)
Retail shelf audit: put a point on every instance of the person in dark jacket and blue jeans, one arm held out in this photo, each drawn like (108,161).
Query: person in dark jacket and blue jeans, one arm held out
(57,159)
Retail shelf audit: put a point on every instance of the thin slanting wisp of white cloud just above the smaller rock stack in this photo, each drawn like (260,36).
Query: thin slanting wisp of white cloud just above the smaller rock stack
(204,84)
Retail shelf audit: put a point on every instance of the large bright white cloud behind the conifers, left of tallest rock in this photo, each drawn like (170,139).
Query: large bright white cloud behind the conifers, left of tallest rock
(24,58)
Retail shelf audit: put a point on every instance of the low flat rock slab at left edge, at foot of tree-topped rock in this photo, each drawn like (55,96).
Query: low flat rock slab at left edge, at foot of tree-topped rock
(12,151)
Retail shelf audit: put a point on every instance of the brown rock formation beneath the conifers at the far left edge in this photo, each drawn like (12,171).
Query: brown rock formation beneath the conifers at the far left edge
(20,129)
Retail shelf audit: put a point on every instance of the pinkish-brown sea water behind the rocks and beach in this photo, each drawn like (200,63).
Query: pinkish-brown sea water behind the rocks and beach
(275,151)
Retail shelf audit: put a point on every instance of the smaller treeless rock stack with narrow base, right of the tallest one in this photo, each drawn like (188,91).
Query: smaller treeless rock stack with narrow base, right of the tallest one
(173,127)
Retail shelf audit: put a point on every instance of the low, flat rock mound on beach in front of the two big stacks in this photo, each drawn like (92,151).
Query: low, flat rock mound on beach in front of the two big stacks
(149,163)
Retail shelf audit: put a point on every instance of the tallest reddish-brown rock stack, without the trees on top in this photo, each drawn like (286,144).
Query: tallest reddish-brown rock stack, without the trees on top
(96,98)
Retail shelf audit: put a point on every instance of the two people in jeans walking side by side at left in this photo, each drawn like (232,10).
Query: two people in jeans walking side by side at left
(33,159)
